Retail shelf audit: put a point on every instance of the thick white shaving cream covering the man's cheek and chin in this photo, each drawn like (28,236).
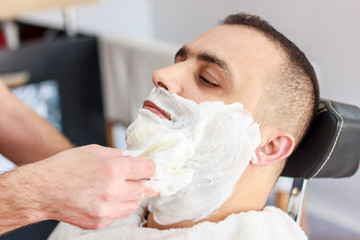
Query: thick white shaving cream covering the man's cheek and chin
(200,153)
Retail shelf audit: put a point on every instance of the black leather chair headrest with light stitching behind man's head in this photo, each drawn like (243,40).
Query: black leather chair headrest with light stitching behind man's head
(331,148)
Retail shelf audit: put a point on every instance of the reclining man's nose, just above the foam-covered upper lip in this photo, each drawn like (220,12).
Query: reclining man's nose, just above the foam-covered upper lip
(168,78)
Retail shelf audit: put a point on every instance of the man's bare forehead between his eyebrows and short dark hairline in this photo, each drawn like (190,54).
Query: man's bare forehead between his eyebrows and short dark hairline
(239,46)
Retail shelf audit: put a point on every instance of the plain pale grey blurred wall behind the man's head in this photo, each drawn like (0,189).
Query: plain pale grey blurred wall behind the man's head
(327,30)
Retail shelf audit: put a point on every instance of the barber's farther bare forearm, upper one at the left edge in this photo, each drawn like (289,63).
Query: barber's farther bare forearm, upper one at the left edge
(25,137)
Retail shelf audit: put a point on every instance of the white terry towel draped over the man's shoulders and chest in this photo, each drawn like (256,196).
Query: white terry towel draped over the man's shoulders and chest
(269,224)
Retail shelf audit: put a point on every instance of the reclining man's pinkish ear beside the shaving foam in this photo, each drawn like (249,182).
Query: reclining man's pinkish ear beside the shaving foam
(277,148)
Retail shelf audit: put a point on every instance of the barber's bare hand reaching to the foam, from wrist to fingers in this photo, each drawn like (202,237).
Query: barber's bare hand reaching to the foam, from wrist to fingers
(89,186)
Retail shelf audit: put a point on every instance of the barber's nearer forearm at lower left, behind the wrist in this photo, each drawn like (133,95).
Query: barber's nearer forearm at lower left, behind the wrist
(17,204)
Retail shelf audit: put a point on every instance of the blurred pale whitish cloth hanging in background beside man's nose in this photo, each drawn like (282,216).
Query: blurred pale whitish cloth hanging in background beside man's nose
(127,67)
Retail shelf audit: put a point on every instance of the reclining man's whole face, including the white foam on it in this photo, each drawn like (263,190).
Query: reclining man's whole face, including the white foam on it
(228,64)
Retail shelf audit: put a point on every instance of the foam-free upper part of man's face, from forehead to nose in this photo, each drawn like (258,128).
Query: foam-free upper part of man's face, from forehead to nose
(227,63)
